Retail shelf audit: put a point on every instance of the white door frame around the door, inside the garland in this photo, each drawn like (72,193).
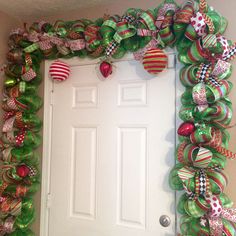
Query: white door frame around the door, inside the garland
(47,128)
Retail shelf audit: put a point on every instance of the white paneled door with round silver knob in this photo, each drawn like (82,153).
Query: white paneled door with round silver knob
(112,147)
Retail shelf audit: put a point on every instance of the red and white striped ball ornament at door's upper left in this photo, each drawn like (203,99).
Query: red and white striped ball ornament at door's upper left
(59,70)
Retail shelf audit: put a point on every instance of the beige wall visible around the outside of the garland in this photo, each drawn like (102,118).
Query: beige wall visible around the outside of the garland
(118,7)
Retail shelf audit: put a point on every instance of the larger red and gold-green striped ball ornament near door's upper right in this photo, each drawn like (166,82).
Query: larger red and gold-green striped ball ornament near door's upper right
(155,61)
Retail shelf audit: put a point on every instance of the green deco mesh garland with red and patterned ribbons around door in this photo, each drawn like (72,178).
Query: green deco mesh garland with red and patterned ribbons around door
(195,29)
